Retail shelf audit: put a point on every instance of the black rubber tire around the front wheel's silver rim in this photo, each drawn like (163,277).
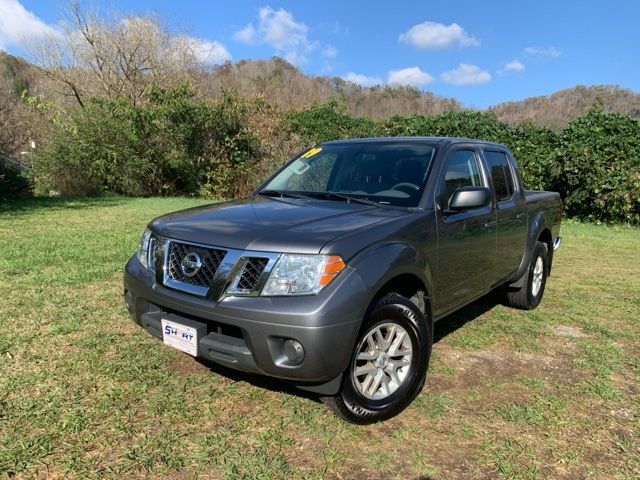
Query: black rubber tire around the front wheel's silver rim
(403,312)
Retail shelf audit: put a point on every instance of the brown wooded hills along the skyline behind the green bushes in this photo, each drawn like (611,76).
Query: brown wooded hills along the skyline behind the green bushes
(289,88)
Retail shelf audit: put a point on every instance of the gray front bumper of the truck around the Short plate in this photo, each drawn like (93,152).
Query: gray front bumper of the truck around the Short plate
(247,333)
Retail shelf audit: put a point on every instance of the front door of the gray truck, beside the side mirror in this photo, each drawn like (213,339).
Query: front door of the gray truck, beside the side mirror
(466,240)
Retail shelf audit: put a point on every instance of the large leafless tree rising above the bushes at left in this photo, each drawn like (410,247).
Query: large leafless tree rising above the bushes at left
(94,55)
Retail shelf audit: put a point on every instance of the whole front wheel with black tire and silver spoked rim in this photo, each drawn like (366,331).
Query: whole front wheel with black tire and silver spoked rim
(401,363)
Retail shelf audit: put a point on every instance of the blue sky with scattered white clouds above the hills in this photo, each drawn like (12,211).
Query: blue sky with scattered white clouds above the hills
(480,53)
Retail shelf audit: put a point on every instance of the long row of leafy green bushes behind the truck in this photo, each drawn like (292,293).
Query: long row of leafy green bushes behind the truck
(176,143)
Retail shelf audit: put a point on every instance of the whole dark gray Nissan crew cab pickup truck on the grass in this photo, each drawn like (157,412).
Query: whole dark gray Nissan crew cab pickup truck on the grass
(332,273)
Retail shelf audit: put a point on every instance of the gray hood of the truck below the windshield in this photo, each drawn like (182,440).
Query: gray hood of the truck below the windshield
(270,224)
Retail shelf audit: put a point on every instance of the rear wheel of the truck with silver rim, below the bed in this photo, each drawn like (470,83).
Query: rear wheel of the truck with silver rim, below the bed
(529,294)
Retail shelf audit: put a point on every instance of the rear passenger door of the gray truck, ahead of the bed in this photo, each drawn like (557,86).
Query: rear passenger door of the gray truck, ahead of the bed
(511,211)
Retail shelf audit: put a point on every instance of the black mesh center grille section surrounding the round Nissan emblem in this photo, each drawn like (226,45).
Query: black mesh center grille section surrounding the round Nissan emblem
(203,277)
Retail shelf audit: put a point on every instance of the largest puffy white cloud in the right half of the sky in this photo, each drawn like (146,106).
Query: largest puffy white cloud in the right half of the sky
(438,35)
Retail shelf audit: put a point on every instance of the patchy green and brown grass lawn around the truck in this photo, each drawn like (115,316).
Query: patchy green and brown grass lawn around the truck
(84,392)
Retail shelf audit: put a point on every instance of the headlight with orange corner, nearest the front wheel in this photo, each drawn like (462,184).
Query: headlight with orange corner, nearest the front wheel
(302,274)
